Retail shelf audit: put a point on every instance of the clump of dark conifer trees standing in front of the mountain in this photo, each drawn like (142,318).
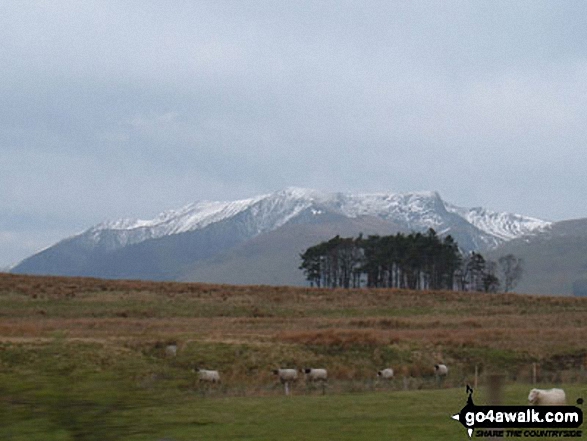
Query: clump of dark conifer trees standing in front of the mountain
(413,261)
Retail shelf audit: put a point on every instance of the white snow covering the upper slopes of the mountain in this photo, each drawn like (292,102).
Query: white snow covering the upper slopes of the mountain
(416,210)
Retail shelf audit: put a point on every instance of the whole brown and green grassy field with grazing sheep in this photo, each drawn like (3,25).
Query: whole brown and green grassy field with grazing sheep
(84,359)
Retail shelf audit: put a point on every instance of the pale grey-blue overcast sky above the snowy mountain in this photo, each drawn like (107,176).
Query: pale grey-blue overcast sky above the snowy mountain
(113,109)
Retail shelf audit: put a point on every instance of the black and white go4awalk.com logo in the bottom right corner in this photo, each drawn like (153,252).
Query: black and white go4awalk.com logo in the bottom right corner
(519,421)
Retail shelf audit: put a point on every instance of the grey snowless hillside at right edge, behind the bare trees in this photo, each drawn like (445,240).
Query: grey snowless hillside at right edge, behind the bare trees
(554,259)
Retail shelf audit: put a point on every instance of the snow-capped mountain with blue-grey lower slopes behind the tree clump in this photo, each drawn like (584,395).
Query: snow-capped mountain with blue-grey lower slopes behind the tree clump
(177,239)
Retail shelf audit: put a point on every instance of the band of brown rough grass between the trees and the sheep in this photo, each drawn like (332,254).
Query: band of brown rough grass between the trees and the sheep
(414,329)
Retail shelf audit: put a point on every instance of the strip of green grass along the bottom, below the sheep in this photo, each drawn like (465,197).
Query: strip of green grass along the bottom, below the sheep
(99,409)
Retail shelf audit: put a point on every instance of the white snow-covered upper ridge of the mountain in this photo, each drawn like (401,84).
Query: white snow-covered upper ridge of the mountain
(394,206)
